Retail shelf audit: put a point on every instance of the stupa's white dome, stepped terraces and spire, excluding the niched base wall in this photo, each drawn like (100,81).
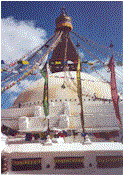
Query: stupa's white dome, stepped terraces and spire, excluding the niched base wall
(63,97)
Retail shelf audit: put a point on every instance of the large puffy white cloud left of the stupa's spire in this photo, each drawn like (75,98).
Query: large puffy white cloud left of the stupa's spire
(18,38)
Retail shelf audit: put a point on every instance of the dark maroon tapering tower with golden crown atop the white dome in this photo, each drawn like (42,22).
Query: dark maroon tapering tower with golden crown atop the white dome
(64,53)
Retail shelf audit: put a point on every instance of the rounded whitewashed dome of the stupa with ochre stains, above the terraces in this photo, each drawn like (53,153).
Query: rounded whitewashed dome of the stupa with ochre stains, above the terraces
(91,87)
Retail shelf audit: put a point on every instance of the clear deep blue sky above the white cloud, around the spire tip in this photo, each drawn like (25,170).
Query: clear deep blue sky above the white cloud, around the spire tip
(100,21)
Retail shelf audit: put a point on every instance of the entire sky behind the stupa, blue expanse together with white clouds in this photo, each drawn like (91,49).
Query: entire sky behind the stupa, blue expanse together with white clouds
(26,25)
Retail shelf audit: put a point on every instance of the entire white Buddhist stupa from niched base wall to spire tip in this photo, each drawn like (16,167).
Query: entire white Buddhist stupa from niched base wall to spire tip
(27,115)
